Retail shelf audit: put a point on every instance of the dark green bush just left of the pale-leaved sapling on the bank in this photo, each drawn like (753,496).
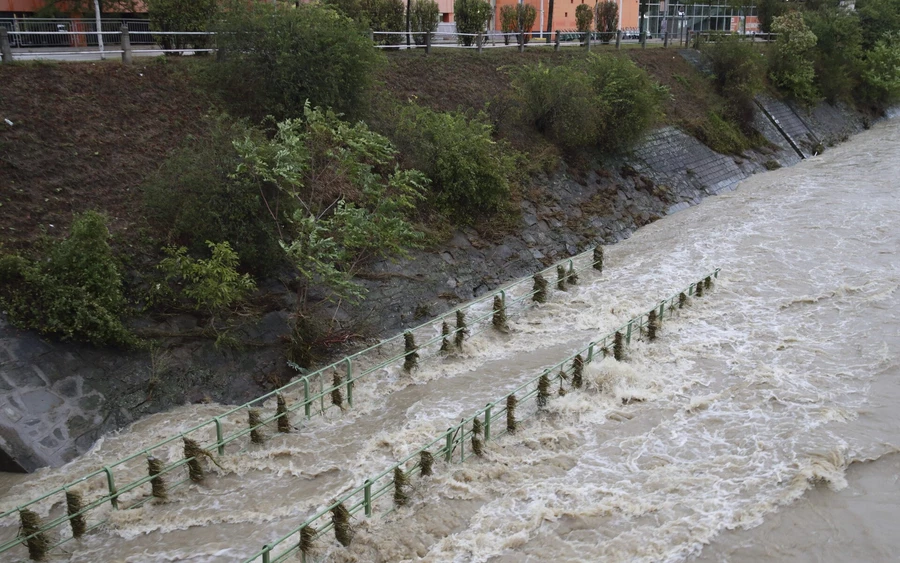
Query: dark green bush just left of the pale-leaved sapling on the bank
(195,197)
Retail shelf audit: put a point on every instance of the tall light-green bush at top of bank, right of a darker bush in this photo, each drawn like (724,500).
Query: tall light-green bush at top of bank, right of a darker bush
(791,64)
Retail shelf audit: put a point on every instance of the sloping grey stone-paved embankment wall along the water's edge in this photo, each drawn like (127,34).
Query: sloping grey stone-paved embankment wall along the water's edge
(57,399)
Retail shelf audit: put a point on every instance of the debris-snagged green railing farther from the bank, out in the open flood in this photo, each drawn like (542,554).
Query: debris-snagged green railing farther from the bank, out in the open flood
(457,435)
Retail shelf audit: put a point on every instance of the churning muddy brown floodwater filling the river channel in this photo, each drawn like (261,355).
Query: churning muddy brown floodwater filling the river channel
(761,425)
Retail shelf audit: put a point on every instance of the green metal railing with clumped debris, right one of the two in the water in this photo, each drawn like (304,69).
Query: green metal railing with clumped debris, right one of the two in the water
(451,445)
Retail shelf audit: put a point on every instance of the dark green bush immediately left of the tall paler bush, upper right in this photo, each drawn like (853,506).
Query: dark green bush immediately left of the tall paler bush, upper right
(739,73)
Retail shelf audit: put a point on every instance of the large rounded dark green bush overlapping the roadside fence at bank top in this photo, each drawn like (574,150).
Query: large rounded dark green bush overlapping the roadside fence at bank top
(273,59)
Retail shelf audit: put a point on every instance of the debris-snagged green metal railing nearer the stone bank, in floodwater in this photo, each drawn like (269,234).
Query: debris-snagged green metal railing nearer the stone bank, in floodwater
(315,387)
